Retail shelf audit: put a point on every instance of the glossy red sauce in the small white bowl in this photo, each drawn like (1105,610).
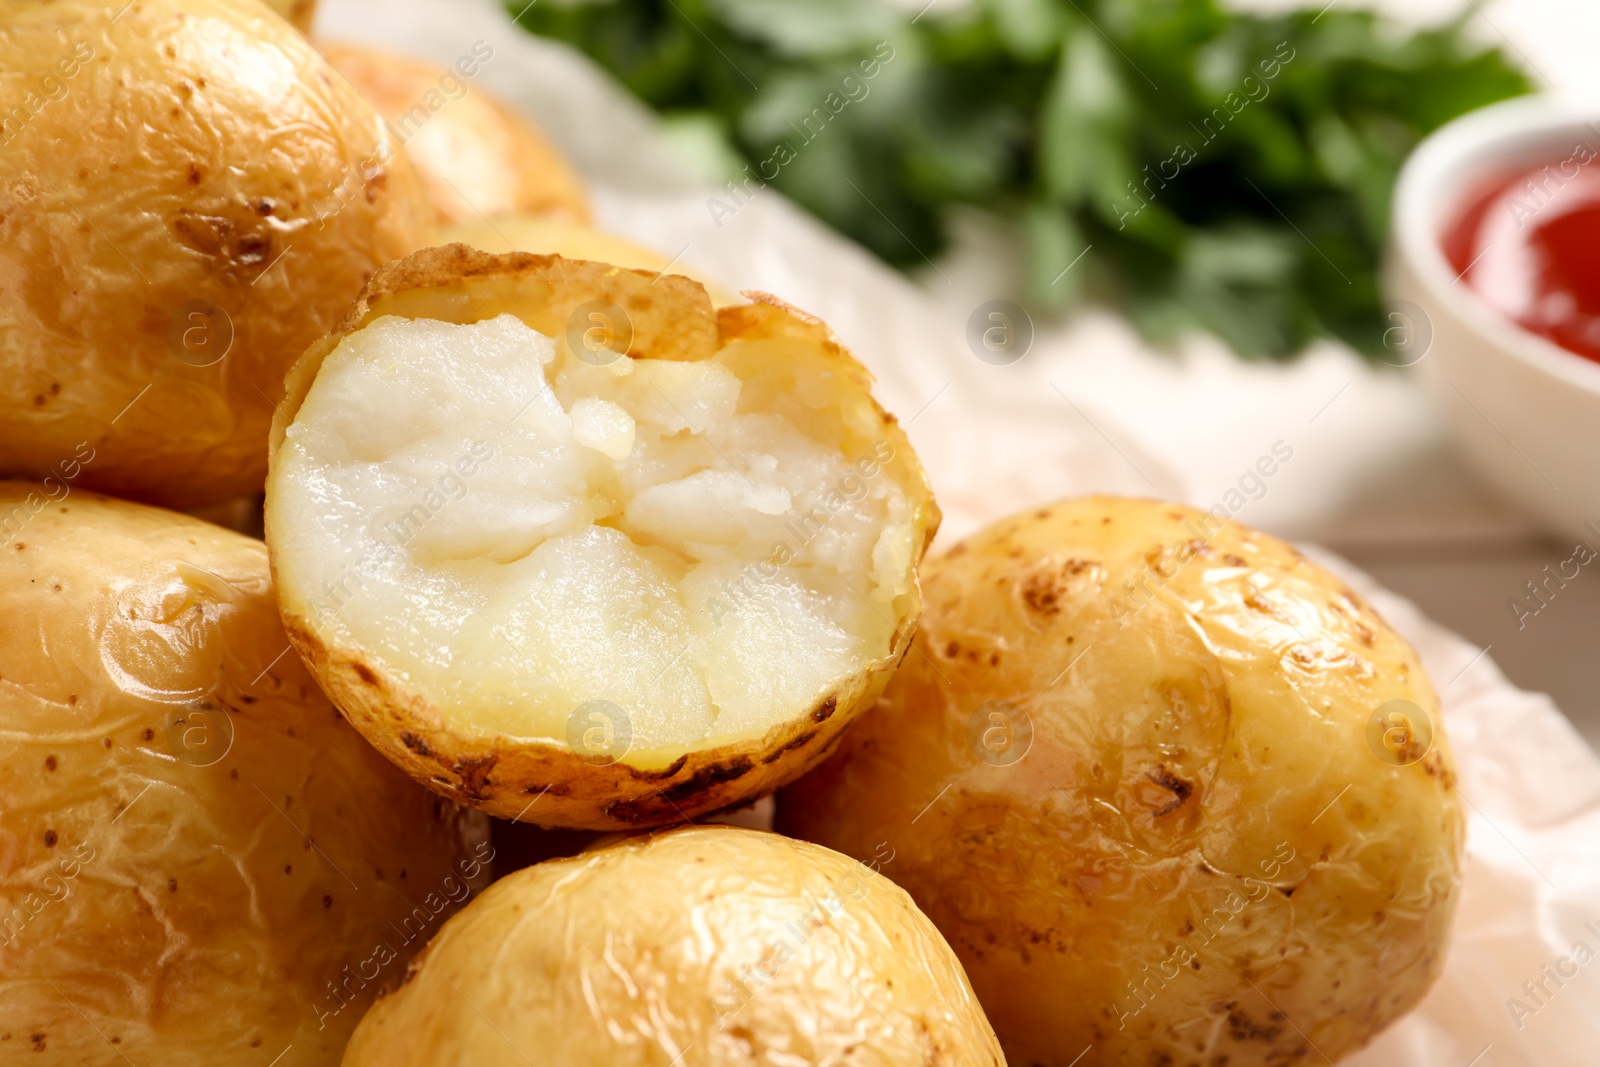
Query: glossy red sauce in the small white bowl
(1530,247)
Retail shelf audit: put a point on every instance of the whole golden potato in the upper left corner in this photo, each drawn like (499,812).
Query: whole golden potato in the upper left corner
(169,169)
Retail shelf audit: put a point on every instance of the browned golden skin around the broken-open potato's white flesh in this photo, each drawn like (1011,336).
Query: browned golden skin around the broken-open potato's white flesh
(673,319)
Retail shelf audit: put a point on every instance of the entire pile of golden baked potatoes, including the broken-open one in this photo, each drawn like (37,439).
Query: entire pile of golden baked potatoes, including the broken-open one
(559,554)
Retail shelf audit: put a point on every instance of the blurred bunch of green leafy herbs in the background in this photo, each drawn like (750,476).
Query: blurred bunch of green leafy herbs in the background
(1228,172)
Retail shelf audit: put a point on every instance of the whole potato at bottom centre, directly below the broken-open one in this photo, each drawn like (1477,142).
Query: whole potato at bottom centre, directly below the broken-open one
(711,946)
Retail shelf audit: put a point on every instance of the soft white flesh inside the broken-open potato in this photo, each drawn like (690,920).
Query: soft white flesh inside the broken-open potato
(513,533)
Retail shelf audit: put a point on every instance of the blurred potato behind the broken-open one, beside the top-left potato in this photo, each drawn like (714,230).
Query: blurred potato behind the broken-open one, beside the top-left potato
(479,159)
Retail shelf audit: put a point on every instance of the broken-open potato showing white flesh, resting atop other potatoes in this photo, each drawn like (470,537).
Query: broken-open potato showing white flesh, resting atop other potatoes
(594,589)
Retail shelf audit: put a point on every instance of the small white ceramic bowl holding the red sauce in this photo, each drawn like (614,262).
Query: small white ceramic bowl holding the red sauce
(1524,410)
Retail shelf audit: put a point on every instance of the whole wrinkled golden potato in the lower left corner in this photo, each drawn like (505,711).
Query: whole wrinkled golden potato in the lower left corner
(204,865)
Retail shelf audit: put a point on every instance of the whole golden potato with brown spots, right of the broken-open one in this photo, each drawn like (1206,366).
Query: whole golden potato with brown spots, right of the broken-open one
(1201,860)
